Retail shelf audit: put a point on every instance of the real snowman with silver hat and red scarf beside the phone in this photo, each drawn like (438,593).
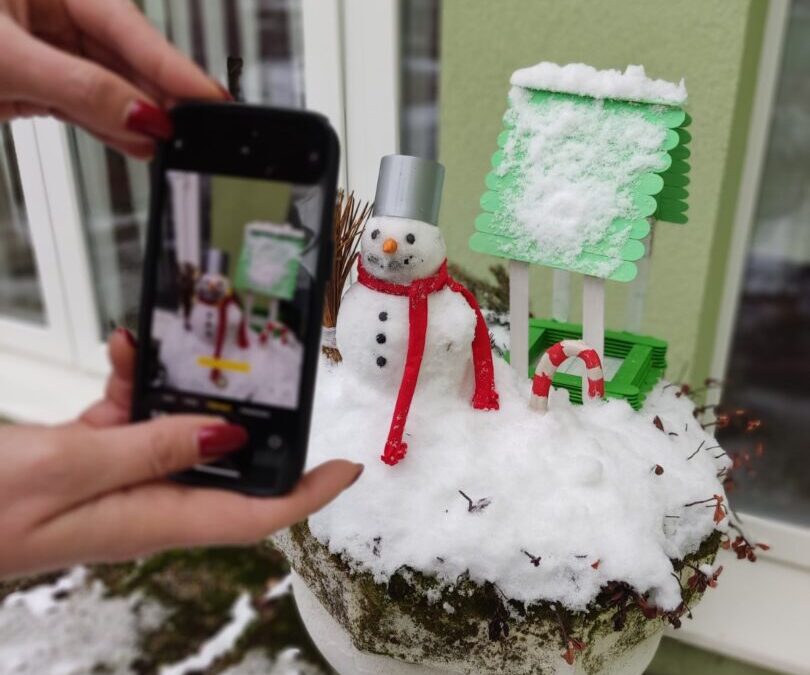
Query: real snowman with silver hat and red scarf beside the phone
(406,320)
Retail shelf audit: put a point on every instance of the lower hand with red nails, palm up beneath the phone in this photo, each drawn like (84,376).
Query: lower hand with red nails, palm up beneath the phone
(95,490)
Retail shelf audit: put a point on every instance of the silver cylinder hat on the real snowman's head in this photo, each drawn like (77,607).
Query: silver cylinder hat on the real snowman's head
(409,187)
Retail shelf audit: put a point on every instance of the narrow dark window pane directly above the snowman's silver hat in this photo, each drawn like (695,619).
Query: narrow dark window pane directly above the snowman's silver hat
(419,78)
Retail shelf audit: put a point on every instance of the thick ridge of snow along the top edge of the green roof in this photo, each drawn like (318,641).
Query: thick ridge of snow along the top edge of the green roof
(584,80)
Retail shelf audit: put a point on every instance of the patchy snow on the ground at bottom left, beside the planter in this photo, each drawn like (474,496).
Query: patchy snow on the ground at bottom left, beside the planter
(70,627)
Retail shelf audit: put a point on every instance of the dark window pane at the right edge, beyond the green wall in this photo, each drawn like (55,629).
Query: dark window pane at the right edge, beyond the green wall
(769,368)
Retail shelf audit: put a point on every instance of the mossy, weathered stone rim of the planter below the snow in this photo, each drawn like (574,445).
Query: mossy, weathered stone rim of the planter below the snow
(481,627)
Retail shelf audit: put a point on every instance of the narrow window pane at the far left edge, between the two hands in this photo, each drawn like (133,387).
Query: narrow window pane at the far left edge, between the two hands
(20,292)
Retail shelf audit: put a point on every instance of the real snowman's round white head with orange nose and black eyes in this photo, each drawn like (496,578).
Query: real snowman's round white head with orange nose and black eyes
(400,249)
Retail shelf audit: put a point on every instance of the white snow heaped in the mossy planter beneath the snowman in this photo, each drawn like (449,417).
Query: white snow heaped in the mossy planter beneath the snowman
(553,507)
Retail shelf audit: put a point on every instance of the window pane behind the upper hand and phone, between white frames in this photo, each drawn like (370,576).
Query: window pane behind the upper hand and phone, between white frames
(114,190)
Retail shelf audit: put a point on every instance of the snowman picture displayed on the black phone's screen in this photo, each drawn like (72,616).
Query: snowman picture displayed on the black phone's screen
(231,331)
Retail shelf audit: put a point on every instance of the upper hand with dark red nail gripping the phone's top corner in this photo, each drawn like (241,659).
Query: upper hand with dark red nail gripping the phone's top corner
(96,63)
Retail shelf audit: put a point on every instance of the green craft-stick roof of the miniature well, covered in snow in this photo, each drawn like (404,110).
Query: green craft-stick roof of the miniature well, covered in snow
(587,158)
